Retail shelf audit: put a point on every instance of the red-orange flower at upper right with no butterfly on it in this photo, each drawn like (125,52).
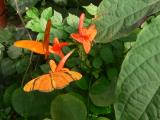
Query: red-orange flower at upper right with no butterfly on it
(85,35)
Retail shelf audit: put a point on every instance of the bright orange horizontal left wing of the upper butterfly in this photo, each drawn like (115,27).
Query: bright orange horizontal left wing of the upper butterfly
(31,45)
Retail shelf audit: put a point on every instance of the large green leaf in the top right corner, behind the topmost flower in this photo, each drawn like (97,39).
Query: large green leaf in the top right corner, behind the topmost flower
(115,18)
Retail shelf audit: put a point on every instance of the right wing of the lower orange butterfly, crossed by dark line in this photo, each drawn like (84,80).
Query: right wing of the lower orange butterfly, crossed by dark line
(62,79)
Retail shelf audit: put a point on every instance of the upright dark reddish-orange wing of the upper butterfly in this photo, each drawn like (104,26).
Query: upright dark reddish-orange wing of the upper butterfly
(46,38)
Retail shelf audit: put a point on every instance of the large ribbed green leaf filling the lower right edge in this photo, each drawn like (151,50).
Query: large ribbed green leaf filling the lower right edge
(138,87)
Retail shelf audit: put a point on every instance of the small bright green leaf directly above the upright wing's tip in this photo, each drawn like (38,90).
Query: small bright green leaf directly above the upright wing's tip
(47,13)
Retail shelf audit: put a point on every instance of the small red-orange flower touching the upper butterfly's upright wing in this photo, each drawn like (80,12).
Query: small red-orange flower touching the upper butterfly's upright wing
(57,47)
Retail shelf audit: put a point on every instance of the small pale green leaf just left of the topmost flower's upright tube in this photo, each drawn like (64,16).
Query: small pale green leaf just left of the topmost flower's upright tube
(73,20)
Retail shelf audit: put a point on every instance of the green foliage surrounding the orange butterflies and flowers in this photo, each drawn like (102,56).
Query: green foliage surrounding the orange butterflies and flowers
(130,30)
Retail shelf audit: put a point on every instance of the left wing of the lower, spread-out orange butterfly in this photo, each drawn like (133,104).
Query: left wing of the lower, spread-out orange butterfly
(42,83)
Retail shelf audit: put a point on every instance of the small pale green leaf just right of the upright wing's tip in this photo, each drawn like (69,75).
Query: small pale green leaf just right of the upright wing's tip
(56,18)
